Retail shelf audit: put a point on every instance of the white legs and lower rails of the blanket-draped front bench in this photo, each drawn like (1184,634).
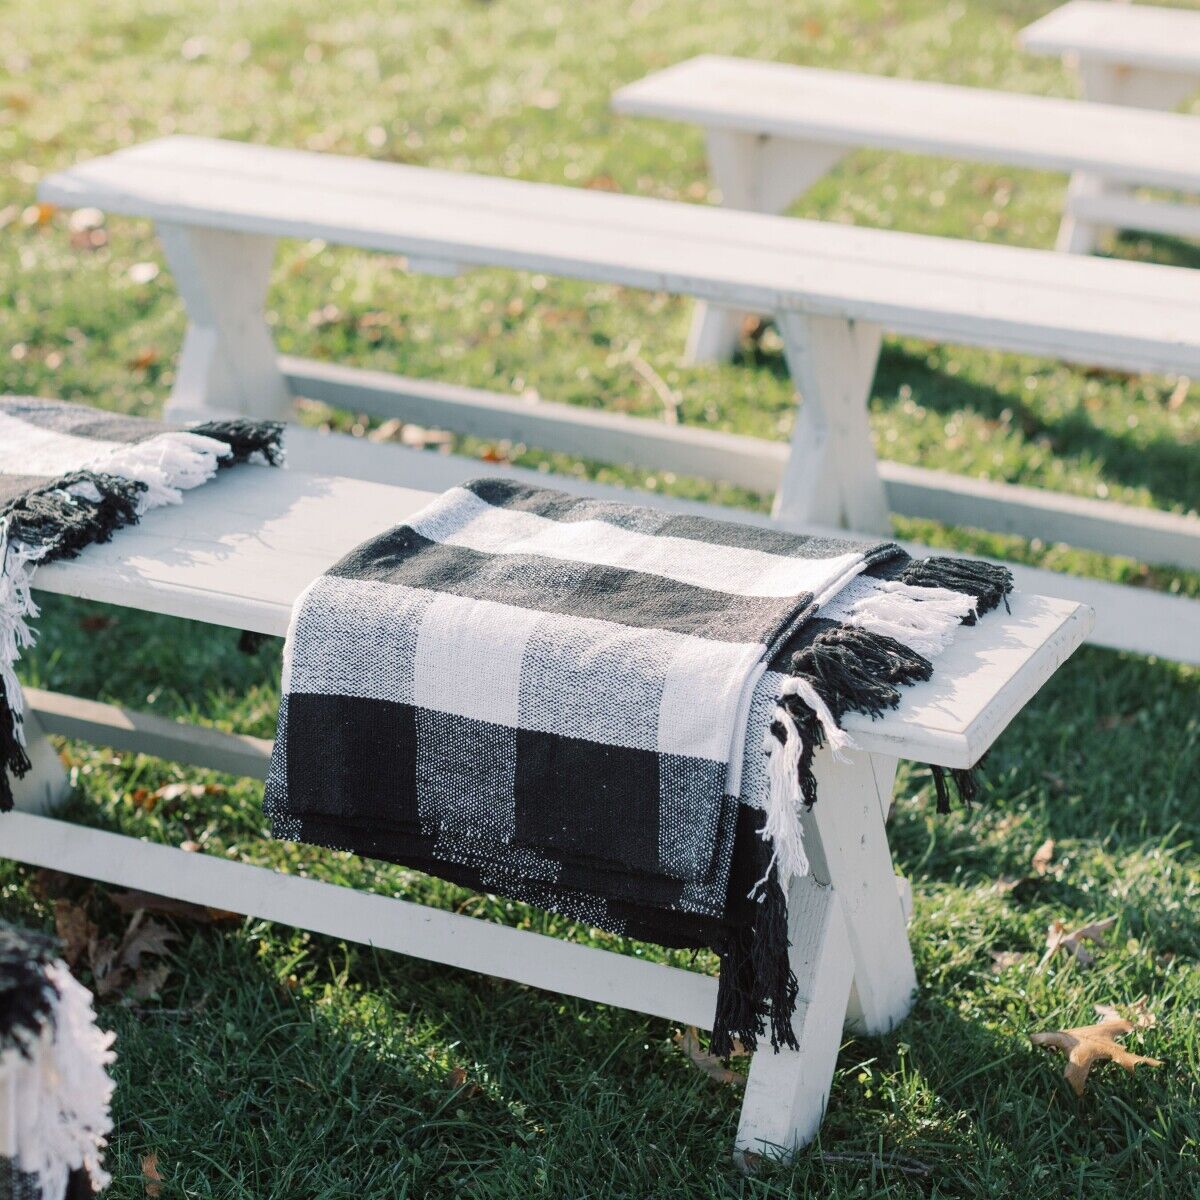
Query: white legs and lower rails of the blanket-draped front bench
(850,949)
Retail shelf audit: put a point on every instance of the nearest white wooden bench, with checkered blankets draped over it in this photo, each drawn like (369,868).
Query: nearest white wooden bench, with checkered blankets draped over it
(241,550)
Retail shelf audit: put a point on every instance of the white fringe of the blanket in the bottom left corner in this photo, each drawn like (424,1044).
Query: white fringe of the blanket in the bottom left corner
(62,1091)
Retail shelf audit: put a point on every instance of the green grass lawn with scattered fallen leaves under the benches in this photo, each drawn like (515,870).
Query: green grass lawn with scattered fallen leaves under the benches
(273,1064)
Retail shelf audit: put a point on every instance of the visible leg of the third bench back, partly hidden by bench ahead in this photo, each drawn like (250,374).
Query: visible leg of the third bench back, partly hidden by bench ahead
(761,175)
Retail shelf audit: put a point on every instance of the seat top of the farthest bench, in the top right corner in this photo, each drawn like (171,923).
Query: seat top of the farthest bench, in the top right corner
(1160,39)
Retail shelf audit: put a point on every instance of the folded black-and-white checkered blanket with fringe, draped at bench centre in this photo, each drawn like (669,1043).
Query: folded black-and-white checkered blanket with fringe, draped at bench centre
(601,709)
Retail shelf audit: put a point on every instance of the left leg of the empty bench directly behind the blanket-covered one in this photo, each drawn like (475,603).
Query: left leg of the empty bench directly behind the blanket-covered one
(229,363)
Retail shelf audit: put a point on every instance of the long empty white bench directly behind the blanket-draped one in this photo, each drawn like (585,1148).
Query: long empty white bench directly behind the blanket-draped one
(220,206)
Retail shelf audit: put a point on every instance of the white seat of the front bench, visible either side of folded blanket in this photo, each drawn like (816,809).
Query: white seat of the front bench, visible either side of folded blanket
(239,551)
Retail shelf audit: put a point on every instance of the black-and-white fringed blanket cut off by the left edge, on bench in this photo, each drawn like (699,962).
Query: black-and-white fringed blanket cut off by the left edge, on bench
(71,476)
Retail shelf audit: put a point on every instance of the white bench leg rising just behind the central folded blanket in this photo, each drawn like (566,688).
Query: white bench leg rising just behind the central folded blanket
(832,477)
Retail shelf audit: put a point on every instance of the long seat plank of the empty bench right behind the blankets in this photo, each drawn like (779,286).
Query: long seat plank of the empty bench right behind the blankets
(1131,316)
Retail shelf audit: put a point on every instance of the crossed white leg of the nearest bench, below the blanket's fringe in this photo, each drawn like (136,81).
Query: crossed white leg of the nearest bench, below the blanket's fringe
(850,953)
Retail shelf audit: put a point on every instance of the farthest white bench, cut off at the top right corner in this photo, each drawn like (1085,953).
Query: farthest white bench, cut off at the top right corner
(1141,56)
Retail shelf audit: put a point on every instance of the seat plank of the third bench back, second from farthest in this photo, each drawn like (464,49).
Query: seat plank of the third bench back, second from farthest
(920,117)
